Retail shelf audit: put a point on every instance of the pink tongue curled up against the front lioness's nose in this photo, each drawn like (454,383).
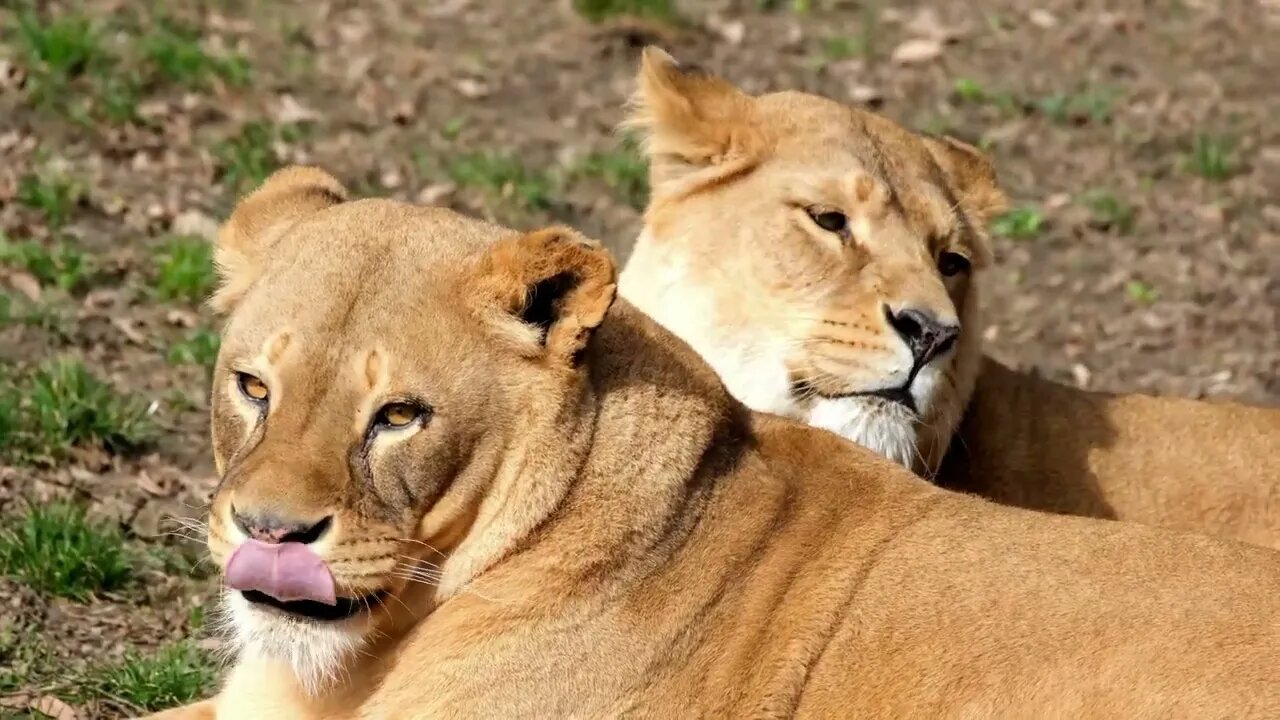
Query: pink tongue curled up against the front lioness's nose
(287,572)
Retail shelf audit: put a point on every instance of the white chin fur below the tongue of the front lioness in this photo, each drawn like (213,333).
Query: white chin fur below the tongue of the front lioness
(316,651)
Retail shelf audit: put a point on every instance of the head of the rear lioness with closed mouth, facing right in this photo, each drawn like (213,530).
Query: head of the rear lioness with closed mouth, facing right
(821,258)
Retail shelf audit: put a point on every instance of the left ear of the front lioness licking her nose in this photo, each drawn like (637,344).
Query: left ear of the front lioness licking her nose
(287,197)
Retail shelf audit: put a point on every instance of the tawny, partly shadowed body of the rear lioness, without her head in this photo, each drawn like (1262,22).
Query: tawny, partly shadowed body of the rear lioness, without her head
(1195,466)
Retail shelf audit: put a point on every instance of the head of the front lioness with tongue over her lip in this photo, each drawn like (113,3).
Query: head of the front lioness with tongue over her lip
(390,379)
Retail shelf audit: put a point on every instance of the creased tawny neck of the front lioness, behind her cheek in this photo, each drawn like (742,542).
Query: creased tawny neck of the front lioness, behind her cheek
(605,482)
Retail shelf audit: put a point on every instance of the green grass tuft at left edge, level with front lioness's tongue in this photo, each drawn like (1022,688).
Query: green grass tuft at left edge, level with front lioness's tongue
(58,552)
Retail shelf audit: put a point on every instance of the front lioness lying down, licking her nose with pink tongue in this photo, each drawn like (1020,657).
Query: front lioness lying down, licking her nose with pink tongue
(456,484)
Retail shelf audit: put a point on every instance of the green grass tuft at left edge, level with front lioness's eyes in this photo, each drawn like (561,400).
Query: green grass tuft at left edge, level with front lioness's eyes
(58,405)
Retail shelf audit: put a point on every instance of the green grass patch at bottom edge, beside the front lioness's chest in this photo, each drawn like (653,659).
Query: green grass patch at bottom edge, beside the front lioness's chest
(175,676)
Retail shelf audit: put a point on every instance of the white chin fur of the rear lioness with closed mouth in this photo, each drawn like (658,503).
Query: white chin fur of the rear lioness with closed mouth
(881,427)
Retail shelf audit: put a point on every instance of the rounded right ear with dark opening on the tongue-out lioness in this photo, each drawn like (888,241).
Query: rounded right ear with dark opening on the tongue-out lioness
(552,288)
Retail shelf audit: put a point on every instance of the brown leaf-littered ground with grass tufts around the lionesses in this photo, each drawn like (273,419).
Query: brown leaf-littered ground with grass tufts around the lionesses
(1139,142)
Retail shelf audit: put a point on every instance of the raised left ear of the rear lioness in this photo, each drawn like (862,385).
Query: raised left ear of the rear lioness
(692,121)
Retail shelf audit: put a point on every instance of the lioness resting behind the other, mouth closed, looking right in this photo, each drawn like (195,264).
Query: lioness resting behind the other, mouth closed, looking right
(822,259)
